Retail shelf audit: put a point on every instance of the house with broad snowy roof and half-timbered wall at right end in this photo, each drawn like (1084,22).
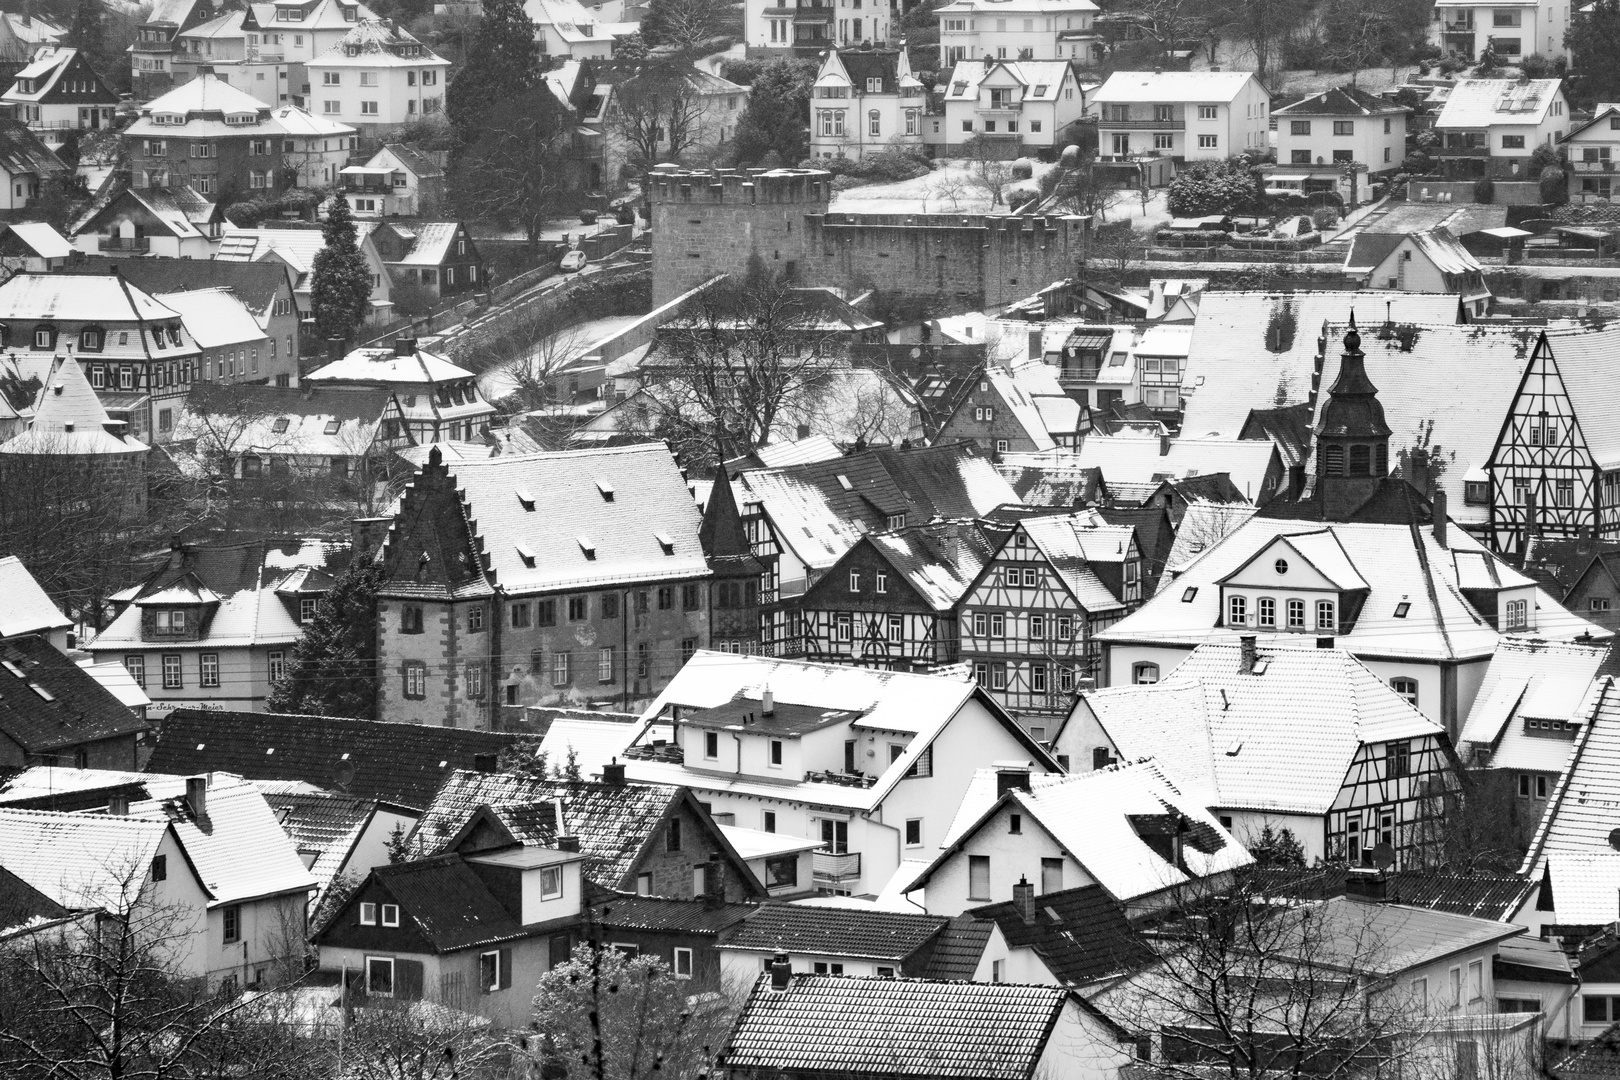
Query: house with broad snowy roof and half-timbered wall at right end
(1307,741)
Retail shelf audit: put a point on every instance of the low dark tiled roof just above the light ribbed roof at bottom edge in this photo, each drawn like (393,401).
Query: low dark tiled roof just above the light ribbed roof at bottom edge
(835,932)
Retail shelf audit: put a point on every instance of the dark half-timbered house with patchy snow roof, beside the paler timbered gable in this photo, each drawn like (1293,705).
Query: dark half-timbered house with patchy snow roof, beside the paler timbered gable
(892,602)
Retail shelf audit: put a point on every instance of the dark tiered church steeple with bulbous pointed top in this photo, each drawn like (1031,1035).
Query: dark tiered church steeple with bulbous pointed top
(1352,440)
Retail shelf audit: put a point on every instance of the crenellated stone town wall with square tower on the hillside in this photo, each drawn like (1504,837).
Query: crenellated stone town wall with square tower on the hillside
(707,224)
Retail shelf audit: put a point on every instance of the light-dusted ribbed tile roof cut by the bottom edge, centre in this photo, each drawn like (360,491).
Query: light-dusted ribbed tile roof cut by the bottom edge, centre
(895,1029)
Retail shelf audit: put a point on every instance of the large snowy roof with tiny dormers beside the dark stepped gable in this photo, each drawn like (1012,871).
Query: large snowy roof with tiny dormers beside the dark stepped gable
(574,519)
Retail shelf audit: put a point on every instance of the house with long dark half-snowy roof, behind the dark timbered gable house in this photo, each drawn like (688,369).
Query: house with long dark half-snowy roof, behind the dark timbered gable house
(801,519)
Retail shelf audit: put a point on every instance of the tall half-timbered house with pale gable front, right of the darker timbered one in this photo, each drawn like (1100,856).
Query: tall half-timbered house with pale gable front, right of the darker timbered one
(1031,619)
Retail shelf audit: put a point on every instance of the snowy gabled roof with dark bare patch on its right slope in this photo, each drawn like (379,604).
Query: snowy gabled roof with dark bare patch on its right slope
(1089,817)
